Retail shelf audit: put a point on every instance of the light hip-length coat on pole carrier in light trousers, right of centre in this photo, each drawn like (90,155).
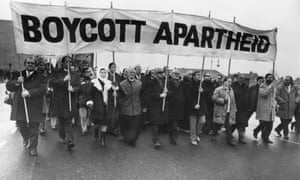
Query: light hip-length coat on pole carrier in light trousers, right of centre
(220,106)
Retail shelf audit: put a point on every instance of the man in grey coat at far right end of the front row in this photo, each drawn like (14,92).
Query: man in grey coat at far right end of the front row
(286,99)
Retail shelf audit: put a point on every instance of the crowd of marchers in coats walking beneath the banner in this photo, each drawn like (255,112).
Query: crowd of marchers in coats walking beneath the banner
(104,102)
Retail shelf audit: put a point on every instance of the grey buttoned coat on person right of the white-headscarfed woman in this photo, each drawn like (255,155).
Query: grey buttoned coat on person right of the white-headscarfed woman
(130,101)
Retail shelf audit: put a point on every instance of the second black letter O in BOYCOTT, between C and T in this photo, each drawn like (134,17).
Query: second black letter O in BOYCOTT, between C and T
(109,35)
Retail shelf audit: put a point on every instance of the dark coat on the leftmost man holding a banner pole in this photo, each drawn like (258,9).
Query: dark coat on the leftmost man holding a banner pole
(36,85)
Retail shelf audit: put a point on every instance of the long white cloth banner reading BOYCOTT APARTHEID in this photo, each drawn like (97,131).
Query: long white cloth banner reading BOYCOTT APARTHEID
(61,30)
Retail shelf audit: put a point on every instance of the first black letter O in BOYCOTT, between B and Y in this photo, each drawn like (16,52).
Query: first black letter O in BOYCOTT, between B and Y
(59,29)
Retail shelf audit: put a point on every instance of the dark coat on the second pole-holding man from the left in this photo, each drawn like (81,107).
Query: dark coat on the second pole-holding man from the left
(60,96)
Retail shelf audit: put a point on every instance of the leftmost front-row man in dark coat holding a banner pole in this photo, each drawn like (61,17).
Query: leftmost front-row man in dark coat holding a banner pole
(29,88)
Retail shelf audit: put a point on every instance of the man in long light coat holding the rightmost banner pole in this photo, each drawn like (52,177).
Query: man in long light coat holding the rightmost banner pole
(266,105)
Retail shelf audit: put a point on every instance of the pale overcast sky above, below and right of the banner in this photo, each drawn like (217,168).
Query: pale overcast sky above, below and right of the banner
(257,14)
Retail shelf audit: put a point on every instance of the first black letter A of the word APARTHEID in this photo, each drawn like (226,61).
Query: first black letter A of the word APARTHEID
(163,33)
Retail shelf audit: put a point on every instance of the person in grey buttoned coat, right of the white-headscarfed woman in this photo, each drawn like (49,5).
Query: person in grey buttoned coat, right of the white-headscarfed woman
(130,107)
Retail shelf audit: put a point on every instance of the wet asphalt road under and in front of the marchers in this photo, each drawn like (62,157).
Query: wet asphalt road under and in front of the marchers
(210,160)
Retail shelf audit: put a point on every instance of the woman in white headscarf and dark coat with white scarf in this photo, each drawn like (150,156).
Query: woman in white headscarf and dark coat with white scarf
(97,102)
